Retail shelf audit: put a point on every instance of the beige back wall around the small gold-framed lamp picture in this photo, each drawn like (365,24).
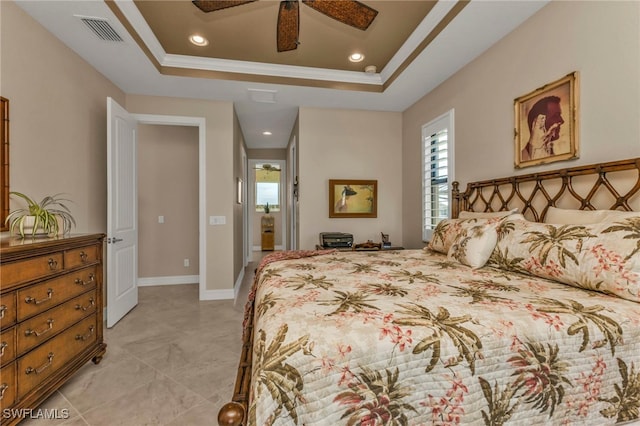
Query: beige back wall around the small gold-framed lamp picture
(347,144)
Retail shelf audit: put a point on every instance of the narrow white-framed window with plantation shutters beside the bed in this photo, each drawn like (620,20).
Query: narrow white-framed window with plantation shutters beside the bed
(437,172)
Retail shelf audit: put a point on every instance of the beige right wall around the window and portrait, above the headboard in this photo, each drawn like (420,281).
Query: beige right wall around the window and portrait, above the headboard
(600,40)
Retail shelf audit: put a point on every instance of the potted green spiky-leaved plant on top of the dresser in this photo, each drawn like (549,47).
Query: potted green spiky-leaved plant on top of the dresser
(51,216)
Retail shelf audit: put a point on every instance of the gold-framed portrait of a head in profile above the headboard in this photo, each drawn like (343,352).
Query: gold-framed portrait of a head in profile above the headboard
(546,123)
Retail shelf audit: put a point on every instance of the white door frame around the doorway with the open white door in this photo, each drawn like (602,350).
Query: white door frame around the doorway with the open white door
(199,122)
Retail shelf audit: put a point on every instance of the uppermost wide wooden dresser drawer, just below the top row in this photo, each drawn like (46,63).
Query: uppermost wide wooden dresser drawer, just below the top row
(45,295)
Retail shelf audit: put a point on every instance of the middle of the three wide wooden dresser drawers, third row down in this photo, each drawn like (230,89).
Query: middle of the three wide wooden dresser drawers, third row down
(32,332)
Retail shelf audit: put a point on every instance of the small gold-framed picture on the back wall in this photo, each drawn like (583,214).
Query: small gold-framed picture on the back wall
(353,198)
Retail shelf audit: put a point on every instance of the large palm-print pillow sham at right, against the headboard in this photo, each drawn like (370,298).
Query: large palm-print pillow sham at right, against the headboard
(604,256)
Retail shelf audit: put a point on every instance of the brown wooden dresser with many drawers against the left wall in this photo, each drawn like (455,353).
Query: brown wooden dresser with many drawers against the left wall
(51,317)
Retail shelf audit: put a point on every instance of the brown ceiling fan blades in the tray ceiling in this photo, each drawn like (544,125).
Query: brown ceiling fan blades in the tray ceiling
(350,12)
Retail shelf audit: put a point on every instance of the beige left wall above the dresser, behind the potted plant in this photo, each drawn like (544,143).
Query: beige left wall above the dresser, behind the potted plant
(58,114)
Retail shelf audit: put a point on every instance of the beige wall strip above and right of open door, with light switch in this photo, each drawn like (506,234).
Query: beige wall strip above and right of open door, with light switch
(219,180)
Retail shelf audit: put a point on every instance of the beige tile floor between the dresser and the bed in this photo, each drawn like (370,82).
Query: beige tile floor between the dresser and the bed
(172,360)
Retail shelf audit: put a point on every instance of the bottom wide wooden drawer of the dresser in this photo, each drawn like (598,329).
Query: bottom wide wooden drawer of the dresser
(46,359)
